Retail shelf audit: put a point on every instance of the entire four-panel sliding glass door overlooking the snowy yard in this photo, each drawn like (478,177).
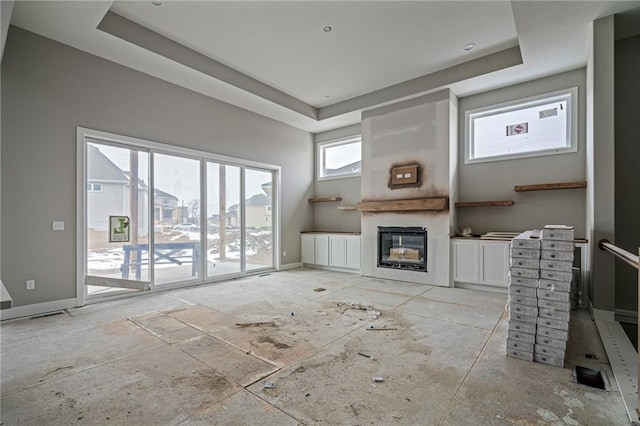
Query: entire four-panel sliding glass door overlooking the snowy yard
(155,216)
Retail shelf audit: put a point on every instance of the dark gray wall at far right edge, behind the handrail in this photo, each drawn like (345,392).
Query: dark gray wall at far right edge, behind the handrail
(627,174)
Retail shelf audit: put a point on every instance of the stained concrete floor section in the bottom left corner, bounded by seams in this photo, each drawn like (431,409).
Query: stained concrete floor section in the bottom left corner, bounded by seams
(160,386)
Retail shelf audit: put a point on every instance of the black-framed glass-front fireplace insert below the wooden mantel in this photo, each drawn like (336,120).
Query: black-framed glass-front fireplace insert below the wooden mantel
(402,248)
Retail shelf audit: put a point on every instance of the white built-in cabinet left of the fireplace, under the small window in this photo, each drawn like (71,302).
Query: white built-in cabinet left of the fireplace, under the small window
(331,250)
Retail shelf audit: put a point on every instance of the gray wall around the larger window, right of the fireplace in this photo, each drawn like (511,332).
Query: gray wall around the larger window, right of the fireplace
(495,180)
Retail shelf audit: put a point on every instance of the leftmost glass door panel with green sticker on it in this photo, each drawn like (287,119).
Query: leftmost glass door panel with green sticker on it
(116,218)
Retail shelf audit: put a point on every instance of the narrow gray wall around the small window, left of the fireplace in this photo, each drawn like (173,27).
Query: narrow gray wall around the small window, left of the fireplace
(326,217)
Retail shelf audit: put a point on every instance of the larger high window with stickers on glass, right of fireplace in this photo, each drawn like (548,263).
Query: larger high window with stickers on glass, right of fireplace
(541,125)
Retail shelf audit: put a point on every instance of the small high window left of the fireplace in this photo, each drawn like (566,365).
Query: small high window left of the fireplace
(339,159)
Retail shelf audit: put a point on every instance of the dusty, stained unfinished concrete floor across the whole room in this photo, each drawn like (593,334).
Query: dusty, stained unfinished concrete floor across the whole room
(178,357)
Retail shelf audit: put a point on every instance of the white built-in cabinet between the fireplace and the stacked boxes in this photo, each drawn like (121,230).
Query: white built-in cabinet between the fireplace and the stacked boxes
(481,262)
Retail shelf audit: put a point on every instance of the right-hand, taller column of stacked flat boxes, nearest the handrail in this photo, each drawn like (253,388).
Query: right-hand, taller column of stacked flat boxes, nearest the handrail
(556,273)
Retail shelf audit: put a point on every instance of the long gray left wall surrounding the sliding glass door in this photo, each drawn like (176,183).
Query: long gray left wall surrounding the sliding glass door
(48,89)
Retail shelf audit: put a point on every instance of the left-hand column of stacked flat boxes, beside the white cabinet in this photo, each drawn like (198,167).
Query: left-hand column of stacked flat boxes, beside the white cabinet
(523,295)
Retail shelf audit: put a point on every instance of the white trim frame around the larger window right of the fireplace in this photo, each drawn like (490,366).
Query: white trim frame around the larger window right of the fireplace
(572,125)
